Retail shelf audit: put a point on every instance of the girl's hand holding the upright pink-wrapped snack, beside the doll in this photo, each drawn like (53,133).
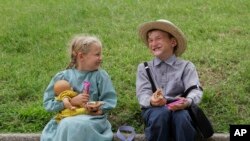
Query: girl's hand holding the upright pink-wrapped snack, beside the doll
(80,100)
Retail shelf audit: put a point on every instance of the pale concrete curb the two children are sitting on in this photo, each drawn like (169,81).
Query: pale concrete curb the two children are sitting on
(139,137)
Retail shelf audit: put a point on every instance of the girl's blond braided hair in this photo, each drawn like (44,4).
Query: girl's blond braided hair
(81,43)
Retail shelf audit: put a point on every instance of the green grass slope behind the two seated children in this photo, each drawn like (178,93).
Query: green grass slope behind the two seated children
(34,36)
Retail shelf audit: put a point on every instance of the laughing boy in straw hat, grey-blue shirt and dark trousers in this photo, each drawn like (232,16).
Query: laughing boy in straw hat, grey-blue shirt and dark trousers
(172,76)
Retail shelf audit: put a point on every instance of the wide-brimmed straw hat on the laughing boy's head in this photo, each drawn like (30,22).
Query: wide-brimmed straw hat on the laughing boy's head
(167,26)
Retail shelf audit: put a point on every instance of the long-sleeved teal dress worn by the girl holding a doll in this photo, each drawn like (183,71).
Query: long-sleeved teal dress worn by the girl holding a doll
(81,127)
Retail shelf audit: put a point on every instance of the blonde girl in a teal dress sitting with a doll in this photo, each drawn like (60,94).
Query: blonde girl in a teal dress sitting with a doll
(86,57)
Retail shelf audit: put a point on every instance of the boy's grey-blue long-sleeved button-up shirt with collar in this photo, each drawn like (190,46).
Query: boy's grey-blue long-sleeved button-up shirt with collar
(173,76)
